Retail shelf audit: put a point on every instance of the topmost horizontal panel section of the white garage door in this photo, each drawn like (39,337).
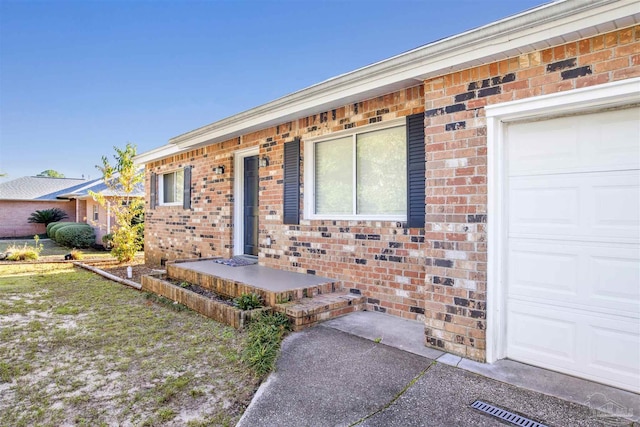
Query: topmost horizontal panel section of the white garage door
(575,143)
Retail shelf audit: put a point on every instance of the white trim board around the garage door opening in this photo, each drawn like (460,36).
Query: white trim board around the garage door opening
(610,95)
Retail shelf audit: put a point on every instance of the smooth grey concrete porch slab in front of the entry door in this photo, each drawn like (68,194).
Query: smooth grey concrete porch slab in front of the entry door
(269,279)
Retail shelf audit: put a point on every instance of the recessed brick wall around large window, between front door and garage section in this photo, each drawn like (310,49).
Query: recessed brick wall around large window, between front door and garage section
(381,259)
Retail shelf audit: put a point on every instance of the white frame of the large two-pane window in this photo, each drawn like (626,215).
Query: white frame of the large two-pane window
(309,173)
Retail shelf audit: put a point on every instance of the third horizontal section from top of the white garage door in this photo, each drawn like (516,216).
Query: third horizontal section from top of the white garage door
(588,276)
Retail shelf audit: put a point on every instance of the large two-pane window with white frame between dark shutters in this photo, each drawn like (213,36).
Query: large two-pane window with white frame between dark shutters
(361,175)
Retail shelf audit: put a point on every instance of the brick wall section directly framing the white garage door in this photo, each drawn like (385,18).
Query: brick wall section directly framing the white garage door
(455,129)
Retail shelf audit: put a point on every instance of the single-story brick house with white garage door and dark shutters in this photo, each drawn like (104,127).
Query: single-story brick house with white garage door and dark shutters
(486,184)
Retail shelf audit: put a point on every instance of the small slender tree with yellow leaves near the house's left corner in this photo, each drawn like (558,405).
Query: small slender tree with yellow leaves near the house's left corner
(122,179)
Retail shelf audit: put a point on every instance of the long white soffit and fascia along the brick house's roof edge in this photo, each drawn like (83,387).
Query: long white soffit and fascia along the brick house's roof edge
(548,25)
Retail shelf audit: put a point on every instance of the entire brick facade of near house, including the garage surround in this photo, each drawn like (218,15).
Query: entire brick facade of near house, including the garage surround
(442,270)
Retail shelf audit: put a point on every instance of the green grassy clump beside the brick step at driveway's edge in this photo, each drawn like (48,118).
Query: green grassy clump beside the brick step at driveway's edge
(264,335)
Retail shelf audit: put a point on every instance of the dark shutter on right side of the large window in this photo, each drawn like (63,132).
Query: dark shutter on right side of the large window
(415,171)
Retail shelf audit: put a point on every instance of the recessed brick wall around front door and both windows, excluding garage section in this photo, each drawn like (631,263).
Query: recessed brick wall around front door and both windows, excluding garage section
(327,248)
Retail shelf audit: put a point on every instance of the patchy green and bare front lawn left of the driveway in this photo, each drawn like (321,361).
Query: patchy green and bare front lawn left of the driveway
(76,349)
